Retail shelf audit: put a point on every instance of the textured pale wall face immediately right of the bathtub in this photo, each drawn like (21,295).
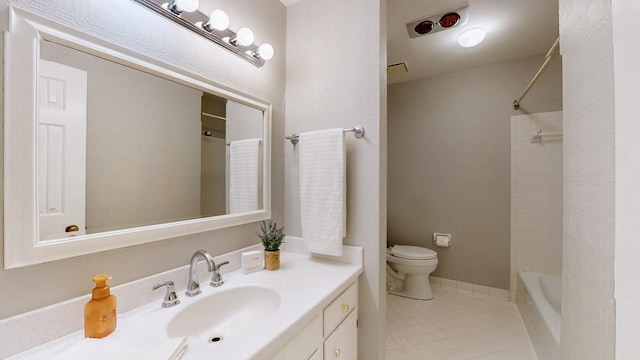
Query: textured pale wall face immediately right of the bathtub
(588,304)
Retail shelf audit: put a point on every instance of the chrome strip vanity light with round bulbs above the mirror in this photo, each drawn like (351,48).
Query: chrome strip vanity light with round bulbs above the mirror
(215,28)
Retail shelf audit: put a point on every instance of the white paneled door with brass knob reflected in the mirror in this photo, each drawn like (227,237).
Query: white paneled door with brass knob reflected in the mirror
(62,128)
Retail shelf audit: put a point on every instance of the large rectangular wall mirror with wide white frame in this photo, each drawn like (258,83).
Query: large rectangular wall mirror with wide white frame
(105,148)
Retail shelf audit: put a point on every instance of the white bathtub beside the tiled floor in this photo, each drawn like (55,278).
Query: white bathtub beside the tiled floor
(540,303)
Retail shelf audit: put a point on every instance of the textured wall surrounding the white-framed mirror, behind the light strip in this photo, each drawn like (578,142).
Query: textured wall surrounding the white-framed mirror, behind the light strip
(130,25)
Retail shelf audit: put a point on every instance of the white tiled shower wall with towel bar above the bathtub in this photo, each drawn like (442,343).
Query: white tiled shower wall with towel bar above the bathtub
(536,196)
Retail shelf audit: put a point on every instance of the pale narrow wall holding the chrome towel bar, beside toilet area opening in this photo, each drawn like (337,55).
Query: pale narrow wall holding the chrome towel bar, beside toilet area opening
(335,78)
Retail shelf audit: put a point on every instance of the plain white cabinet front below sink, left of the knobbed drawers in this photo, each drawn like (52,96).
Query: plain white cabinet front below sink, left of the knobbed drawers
(305,344)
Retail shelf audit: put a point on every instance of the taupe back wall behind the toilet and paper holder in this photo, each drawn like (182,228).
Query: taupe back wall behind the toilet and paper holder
(449,163)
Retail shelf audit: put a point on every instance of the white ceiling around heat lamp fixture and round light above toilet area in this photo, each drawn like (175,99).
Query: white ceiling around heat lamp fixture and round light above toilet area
(515,29)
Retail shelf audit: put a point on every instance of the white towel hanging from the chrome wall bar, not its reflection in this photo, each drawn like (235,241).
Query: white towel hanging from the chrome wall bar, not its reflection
(323,190)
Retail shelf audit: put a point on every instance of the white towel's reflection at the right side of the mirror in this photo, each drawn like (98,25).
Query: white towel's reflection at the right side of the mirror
(245,175)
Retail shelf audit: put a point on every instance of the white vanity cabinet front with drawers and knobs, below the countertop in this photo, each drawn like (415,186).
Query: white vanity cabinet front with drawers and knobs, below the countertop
(333,334)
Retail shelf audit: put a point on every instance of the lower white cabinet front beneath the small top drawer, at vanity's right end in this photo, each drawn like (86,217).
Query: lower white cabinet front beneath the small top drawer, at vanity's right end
(343,343)
